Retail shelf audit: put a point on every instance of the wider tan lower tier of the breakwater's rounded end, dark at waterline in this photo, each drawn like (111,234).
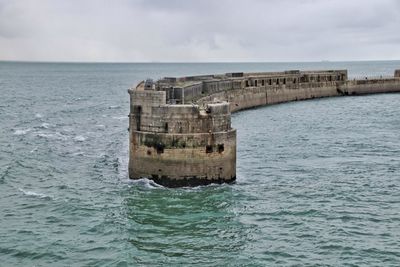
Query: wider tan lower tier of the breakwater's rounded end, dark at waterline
(184,160)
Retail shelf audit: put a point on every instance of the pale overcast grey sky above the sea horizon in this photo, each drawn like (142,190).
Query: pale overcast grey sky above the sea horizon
(199,30)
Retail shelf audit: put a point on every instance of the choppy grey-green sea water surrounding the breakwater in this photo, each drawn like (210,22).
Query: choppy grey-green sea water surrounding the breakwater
(318,182)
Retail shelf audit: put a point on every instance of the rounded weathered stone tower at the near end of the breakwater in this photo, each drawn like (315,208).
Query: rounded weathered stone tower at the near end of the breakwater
(180,145)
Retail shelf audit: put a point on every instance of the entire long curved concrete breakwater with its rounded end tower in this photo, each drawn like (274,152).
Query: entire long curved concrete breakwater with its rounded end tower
(180,128)
